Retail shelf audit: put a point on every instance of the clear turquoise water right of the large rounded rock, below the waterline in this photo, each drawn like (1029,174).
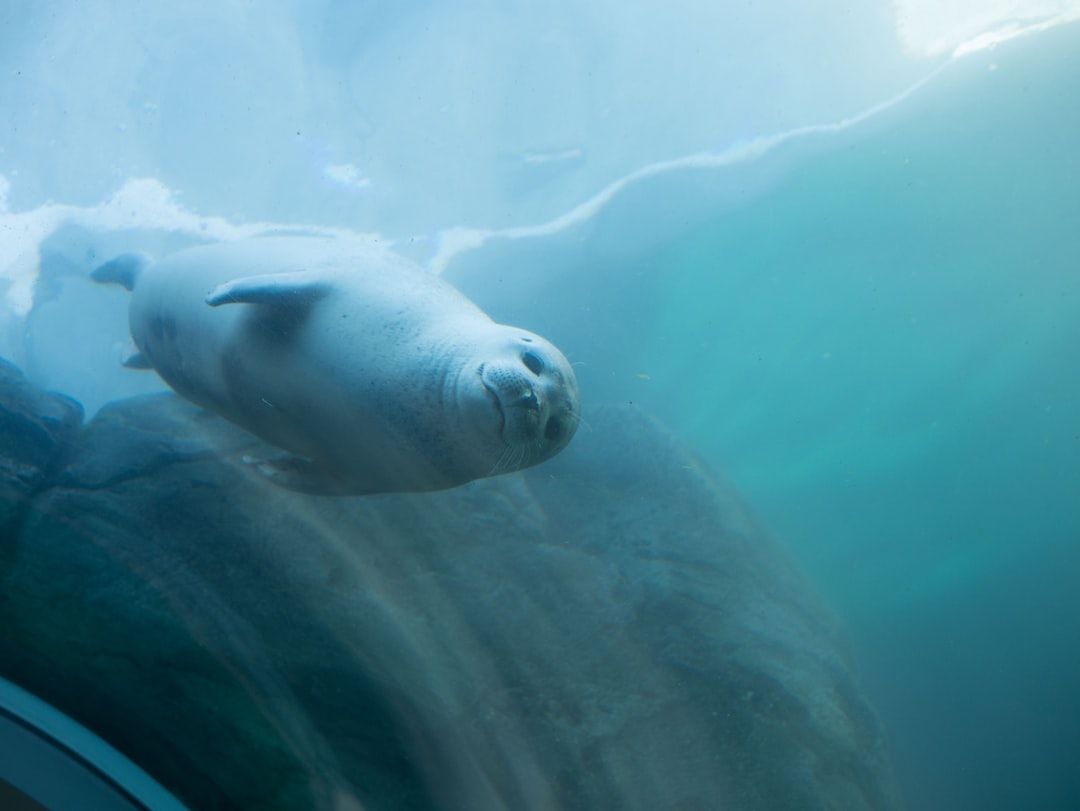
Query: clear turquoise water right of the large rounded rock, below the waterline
(885,355)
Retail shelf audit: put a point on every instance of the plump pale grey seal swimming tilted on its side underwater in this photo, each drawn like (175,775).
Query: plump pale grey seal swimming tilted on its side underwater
(371,374)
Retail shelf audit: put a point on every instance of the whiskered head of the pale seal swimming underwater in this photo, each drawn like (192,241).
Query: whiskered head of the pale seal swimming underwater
(534,394)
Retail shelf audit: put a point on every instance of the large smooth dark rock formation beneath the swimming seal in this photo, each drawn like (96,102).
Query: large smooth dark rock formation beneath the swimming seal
(612,630)
